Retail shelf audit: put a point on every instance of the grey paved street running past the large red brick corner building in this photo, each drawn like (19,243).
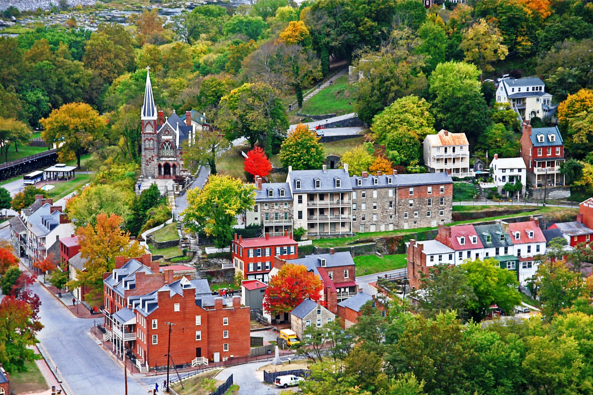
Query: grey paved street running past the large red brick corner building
(85,367)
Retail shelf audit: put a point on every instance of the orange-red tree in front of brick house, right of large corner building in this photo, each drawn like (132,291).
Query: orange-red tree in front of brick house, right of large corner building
(289,288)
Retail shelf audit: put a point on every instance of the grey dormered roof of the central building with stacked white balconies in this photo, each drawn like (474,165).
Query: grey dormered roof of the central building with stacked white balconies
(327,180)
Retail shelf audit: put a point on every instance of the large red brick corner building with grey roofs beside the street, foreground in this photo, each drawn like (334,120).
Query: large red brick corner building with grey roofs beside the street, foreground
(140,303)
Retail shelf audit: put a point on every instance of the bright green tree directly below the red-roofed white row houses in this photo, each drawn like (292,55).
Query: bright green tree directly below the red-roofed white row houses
(491,285)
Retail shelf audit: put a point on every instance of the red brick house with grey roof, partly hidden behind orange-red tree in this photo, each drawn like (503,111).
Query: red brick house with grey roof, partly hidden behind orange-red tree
(336,272)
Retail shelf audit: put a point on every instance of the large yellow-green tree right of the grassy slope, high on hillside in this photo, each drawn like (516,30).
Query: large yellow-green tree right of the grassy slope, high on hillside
(392,72)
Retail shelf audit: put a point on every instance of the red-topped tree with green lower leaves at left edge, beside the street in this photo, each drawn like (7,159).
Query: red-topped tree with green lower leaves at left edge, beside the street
(17,334)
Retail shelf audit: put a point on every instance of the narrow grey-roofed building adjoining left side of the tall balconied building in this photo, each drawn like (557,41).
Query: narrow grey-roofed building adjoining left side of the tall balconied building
(273,208)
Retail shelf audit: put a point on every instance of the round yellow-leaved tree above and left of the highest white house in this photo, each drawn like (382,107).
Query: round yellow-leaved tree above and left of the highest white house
(482,45)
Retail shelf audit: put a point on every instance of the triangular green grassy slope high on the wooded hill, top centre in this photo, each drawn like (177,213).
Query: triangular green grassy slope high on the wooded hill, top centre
(338,98)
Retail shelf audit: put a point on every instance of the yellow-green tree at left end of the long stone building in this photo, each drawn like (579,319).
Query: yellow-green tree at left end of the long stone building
(212,210)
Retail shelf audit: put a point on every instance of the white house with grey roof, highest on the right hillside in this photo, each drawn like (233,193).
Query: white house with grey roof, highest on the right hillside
(526,96)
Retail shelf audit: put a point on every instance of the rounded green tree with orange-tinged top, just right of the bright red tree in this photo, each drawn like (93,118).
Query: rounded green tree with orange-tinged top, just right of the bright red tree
(302,150)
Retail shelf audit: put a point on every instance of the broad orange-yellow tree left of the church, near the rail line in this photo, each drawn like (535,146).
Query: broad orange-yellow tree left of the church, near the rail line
(74,127)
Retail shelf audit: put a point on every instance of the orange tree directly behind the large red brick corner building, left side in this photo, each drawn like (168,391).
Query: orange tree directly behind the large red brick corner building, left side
(99,245)
